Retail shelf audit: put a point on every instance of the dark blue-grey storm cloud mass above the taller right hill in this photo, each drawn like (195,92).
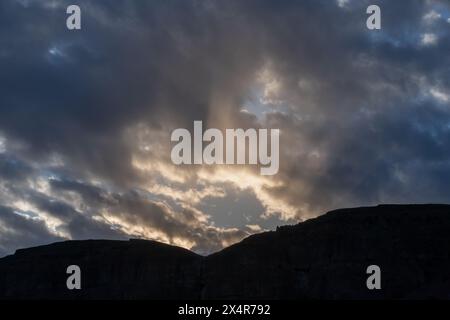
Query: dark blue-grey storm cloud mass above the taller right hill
(362,109)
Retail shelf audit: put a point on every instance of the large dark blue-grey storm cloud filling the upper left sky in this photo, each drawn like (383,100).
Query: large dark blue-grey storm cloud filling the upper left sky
(75,93)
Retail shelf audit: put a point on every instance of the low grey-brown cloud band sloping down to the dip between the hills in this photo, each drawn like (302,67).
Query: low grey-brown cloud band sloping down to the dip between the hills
(134,209)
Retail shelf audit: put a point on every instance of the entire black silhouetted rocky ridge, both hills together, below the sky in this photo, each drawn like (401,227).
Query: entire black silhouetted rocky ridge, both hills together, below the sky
(323,258)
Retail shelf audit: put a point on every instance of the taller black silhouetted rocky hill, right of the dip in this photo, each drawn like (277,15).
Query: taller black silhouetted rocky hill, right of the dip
(327,258)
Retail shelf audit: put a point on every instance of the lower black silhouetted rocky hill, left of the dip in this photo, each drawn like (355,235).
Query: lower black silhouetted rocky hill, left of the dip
(132,269)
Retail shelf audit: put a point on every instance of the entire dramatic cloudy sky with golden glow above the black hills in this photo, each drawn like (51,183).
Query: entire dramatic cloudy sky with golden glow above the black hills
(86,116)
